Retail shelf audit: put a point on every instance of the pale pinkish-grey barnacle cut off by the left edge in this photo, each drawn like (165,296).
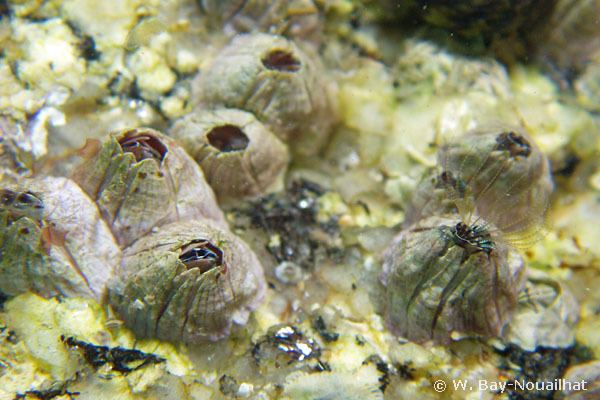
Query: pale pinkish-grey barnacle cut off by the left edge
(53,241)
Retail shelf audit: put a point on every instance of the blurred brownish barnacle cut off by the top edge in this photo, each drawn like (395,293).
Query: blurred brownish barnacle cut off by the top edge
(298,18)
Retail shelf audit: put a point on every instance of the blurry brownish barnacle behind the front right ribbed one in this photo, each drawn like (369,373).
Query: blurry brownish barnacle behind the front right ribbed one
(502,174)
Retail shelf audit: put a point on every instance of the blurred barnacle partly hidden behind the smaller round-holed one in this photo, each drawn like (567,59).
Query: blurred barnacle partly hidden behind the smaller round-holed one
(278,82)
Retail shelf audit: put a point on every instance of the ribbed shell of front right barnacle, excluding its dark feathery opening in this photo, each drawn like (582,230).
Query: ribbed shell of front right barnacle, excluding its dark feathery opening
(435,286)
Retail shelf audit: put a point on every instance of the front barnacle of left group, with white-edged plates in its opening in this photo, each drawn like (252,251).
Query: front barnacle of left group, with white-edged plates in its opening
(189,282)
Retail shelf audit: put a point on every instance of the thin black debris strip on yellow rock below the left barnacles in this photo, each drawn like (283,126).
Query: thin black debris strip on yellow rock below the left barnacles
(119,358)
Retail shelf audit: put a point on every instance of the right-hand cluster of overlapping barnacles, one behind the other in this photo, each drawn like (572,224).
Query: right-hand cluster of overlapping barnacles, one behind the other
(454,269)
